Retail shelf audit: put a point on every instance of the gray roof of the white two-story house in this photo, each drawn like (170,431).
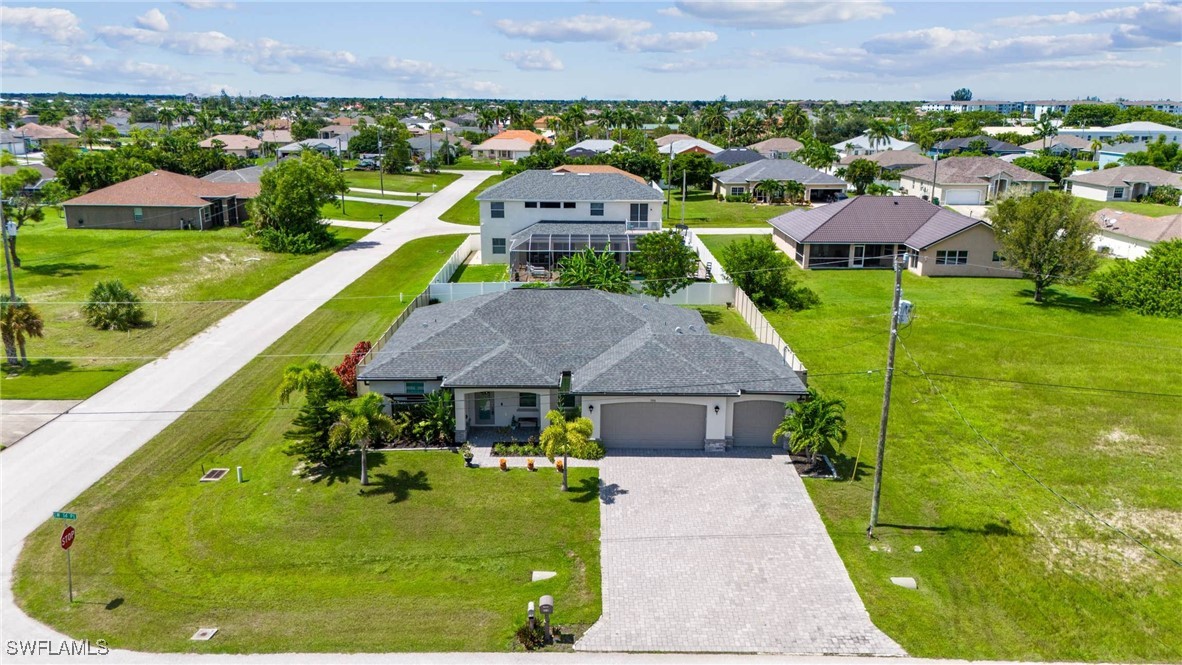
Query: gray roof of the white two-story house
(549,186)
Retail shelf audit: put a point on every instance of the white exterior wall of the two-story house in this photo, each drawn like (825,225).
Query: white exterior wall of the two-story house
(518,217)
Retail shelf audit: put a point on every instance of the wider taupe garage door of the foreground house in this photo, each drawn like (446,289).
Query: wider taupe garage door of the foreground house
(653,425)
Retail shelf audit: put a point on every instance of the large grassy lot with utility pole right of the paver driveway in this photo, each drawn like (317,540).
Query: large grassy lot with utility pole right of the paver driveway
(1008,571)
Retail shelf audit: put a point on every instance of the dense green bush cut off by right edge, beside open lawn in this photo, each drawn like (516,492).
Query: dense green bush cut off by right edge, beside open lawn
(1151,285)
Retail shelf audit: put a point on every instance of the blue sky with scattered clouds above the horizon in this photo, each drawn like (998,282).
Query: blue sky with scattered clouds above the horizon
(658,50)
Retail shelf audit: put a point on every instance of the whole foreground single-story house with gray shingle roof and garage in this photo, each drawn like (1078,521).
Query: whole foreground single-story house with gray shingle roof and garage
(647,375)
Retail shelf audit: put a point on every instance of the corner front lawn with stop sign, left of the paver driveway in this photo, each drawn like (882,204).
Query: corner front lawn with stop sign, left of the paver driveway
(431,557)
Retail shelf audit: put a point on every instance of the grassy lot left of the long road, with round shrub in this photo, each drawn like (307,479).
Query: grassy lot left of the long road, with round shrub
(61,266)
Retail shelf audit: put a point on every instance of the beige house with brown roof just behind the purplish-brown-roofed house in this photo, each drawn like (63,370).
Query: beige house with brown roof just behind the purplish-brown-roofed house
(969,181)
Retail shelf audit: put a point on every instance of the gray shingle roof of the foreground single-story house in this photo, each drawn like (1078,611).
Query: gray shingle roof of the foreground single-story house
(611,344)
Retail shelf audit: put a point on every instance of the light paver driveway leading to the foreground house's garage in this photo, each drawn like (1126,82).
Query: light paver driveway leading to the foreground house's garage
(722,555)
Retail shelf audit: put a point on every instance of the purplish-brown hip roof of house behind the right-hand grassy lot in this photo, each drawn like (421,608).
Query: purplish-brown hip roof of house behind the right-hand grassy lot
(905,220)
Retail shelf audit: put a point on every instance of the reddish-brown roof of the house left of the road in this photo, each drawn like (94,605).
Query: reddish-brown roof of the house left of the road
(164,190)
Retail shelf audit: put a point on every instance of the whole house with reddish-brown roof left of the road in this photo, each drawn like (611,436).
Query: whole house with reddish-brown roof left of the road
(161,200)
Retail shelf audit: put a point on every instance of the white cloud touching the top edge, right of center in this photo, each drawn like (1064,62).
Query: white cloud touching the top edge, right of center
(768,15)
